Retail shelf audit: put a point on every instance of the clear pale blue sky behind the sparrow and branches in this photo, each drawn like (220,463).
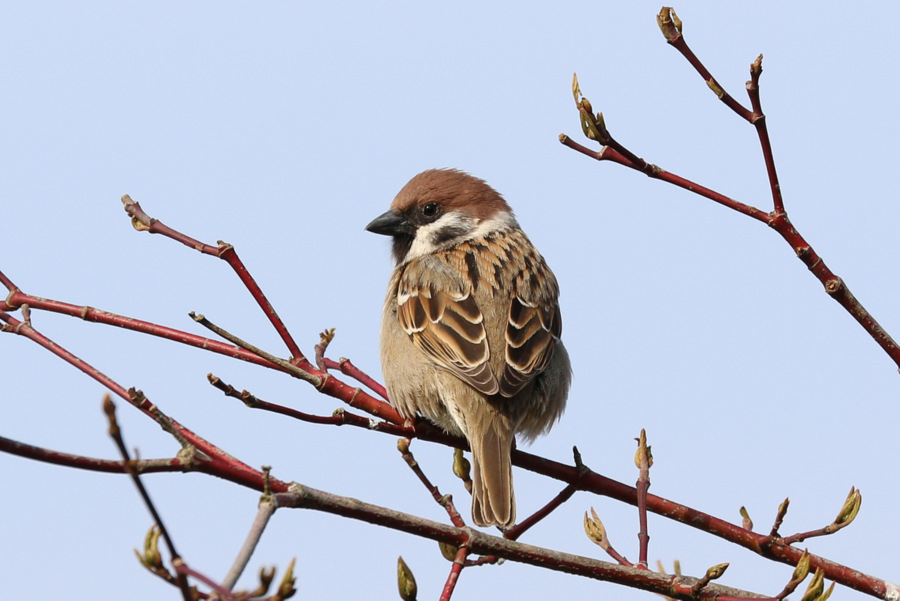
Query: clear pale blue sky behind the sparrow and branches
(284,128)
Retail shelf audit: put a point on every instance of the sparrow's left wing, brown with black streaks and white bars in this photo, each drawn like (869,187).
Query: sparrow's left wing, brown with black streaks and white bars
(445,322)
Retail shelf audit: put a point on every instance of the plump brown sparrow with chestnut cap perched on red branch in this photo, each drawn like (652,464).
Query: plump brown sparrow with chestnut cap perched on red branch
(470,332)
